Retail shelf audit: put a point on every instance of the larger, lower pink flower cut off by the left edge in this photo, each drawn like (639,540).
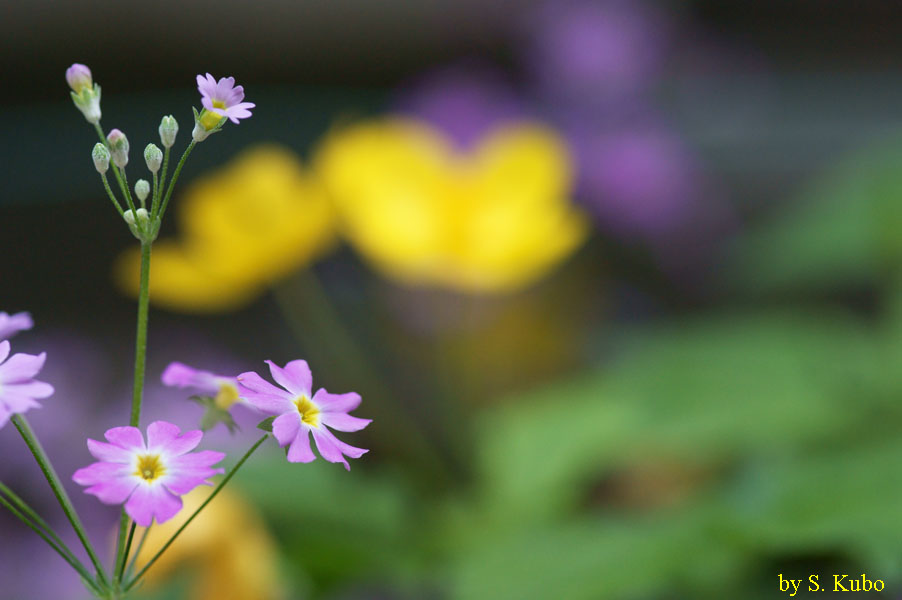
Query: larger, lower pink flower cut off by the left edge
(19,390)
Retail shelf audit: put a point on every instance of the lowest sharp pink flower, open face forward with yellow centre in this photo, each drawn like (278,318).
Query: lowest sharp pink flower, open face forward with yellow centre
(149,478)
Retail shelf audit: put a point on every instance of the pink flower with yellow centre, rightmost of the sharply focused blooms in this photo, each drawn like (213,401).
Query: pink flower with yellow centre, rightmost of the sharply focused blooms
(300,414)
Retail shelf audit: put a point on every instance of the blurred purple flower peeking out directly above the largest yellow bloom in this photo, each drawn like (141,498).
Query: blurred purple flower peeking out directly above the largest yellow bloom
(463,101)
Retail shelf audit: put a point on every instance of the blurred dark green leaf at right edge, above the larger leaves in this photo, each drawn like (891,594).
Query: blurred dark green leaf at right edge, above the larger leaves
(841,232)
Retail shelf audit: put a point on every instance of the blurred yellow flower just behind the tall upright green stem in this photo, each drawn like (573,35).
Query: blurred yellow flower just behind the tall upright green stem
(253,222)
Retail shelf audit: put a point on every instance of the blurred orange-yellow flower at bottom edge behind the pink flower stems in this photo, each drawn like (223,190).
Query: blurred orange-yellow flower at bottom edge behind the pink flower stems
(226,549)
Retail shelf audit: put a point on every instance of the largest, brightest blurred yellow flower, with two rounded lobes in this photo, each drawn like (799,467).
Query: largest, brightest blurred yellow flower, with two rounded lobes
(492,220)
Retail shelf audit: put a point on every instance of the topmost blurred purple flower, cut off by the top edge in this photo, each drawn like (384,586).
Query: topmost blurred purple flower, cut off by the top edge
(589,52)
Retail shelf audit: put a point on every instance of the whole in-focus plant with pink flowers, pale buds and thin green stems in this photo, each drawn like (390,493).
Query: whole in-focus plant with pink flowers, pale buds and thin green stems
(148,474)
